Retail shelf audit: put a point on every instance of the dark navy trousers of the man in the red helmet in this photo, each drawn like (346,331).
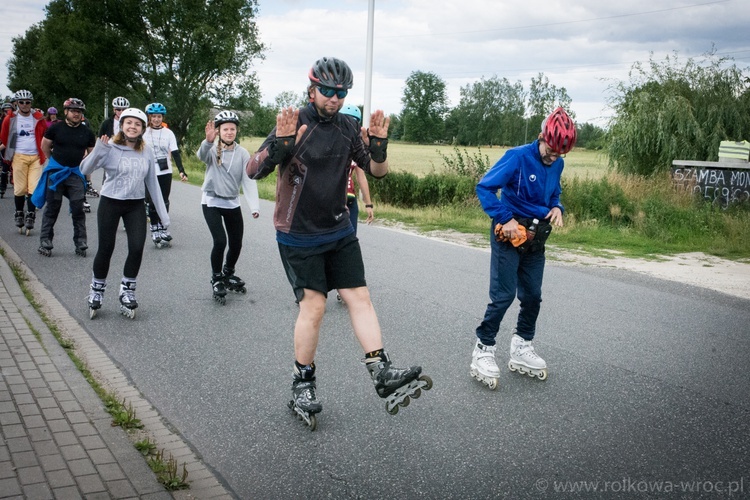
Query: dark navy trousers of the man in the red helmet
(512,274)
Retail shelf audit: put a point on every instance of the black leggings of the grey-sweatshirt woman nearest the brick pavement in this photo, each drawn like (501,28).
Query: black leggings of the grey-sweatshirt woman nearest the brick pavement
(108,215)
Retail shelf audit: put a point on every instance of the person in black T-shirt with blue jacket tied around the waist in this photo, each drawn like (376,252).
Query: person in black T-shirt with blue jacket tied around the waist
(65,143)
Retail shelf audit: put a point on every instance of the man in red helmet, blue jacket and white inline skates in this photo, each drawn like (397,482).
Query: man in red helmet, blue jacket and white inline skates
(522,219)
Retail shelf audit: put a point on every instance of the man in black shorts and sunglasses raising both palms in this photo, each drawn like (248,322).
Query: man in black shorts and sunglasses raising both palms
(312,148)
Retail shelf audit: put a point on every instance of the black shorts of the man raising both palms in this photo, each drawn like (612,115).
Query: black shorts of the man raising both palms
(336,265)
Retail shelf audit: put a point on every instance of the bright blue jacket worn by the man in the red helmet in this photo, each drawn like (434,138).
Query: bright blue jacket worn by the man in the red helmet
(528,187)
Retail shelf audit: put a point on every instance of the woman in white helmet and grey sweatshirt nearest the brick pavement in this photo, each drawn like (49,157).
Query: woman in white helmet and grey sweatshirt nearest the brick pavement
(130,168)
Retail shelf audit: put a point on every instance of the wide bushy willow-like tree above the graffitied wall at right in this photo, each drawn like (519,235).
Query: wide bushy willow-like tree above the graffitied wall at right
(671,111)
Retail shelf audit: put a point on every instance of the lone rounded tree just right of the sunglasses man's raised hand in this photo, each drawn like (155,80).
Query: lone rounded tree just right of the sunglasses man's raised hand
(425,106)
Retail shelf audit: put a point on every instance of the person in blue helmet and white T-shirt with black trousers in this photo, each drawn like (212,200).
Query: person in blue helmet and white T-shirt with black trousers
(164,145)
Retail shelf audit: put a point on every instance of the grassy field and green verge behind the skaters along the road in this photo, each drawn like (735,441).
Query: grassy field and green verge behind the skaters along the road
(635,216)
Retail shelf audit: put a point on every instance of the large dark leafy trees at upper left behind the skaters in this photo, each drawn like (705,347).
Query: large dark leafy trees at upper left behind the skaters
(186,54)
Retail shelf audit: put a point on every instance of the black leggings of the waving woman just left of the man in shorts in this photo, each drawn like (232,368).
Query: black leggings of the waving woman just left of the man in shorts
(235,227)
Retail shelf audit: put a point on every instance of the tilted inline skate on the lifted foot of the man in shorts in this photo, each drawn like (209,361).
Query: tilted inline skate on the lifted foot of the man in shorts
(397,385)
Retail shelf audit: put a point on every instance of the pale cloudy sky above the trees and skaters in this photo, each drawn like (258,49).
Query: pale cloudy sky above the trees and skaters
(582,45)
